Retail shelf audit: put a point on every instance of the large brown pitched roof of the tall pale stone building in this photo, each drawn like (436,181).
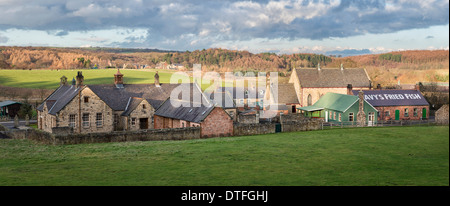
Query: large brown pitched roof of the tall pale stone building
(333,77)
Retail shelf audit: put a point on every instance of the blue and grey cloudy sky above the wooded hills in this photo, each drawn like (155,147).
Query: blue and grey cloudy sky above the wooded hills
(283,26)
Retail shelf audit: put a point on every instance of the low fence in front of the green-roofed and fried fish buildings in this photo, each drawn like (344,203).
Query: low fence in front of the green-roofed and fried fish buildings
(388,123)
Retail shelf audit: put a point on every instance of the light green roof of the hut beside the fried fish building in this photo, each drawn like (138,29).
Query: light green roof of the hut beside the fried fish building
(333,101)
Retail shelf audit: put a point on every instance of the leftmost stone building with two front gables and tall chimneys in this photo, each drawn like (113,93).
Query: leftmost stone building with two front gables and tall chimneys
(102,108)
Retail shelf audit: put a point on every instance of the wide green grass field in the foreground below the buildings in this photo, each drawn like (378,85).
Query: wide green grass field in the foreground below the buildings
(354,156)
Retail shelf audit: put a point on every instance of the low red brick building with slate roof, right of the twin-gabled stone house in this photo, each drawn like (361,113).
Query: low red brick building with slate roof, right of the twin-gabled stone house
(213,120)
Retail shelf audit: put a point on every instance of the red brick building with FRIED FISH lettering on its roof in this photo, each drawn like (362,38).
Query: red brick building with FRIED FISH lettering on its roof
(397,104)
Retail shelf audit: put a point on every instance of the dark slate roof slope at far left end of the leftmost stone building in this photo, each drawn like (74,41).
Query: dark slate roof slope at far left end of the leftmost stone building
(59,98)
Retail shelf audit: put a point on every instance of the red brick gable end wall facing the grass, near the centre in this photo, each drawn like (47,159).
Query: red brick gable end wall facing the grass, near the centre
(217,124)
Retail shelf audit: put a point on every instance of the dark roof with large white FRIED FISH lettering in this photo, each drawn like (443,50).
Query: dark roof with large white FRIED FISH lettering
(380,98)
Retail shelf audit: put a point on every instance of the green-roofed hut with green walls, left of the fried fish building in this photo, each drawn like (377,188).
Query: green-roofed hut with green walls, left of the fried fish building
(333,107)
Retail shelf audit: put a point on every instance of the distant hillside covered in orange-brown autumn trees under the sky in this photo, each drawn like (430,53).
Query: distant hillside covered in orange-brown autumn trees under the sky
(408,67)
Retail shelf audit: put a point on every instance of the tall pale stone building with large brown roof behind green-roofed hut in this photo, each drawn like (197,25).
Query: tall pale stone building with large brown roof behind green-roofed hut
(311,84)
